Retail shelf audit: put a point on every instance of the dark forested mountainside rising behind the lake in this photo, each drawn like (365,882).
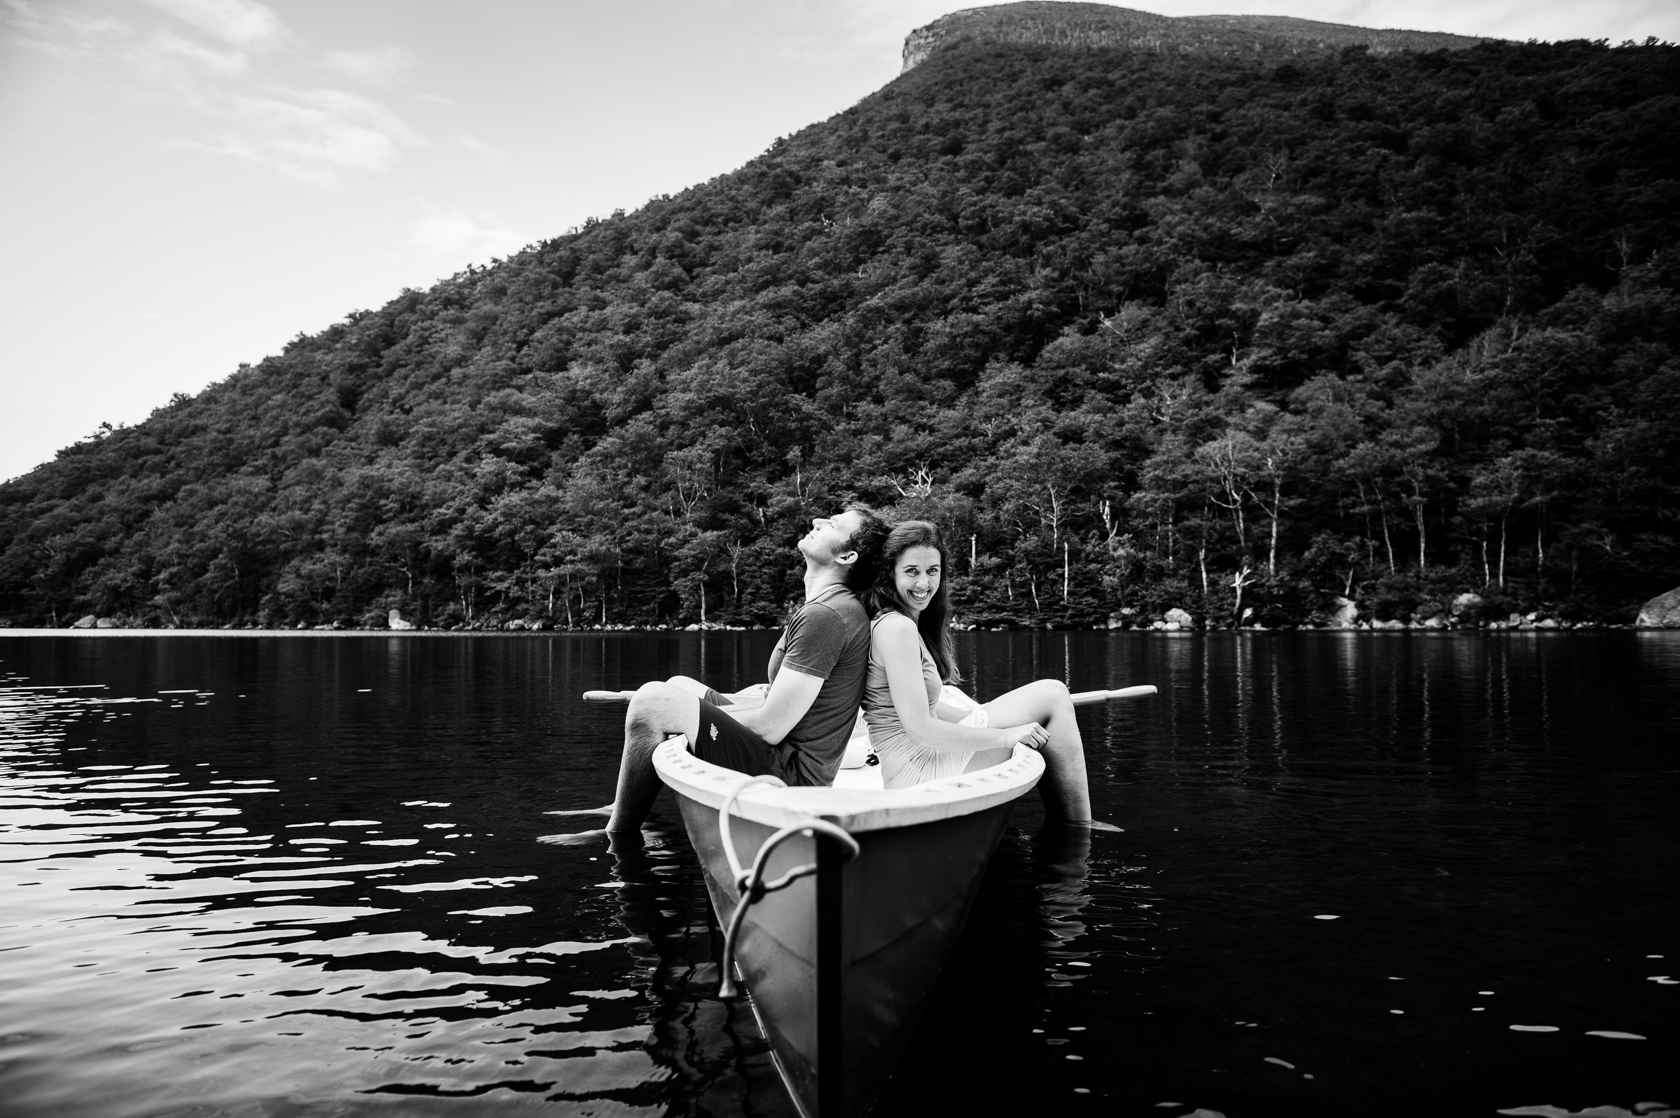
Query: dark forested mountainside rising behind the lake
(1143,330)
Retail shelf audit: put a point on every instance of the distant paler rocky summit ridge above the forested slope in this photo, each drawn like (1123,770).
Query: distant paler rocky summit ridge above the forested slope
(1106,26)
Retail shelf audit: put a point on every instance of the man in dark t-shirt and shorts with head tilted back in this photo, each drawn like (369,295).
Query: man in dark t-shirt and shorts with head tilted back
(816,683)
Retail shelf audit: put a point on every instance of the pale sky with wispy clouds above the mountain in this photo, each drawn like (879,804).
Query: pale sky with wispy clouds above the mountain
(186,186)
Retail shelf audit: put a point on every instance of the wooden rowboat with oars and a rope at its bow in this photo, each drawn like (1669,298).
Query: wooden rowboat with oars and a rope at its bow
(843,905)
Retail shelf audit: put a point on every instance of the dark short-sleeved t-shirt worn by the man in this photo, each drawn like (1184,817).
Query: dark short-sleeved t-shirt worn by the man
(829,640)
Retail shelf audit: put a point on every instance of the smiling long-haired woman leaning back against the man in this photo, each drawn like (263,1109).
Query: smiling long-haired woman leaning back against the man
(921,739)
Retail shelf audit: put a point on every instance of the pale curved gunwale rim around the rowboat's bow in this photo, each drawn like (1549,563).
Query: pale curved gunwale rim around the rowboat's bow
(853,809)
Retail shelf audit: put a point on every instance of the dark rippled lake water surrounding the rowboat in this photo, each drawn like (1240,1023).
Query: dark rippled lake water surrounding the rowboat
(1360,875)
